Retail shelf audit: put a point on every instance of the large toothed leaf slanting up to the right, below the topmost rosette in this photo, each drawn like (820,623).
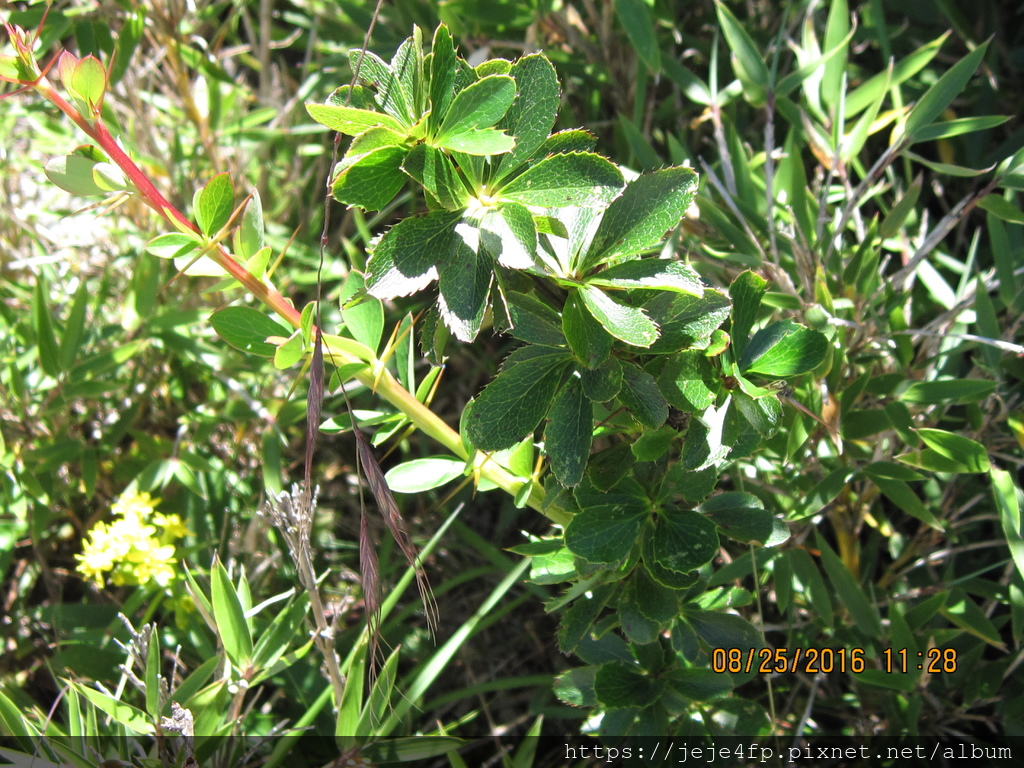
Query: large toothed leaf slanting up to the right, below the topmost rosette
(639,218)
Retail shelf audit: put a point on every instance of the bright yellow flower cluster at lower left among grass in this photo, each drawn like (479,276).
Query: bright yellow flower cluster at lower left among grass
(137,548)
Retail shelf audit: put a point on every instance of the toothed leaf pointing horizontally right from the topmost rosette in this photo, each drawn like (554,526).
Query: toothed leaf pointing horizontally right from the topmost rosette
(580,180)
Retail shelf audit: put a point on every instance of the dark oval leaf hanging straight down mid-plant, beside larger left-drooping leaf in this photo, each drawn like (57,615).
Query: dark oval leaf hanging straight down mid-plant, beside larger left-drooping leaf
(570,434)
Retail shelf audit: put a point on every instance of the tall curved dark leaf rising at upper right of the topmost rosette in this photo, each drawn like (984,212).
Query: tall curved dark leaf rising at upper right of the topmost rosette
(533,113)
